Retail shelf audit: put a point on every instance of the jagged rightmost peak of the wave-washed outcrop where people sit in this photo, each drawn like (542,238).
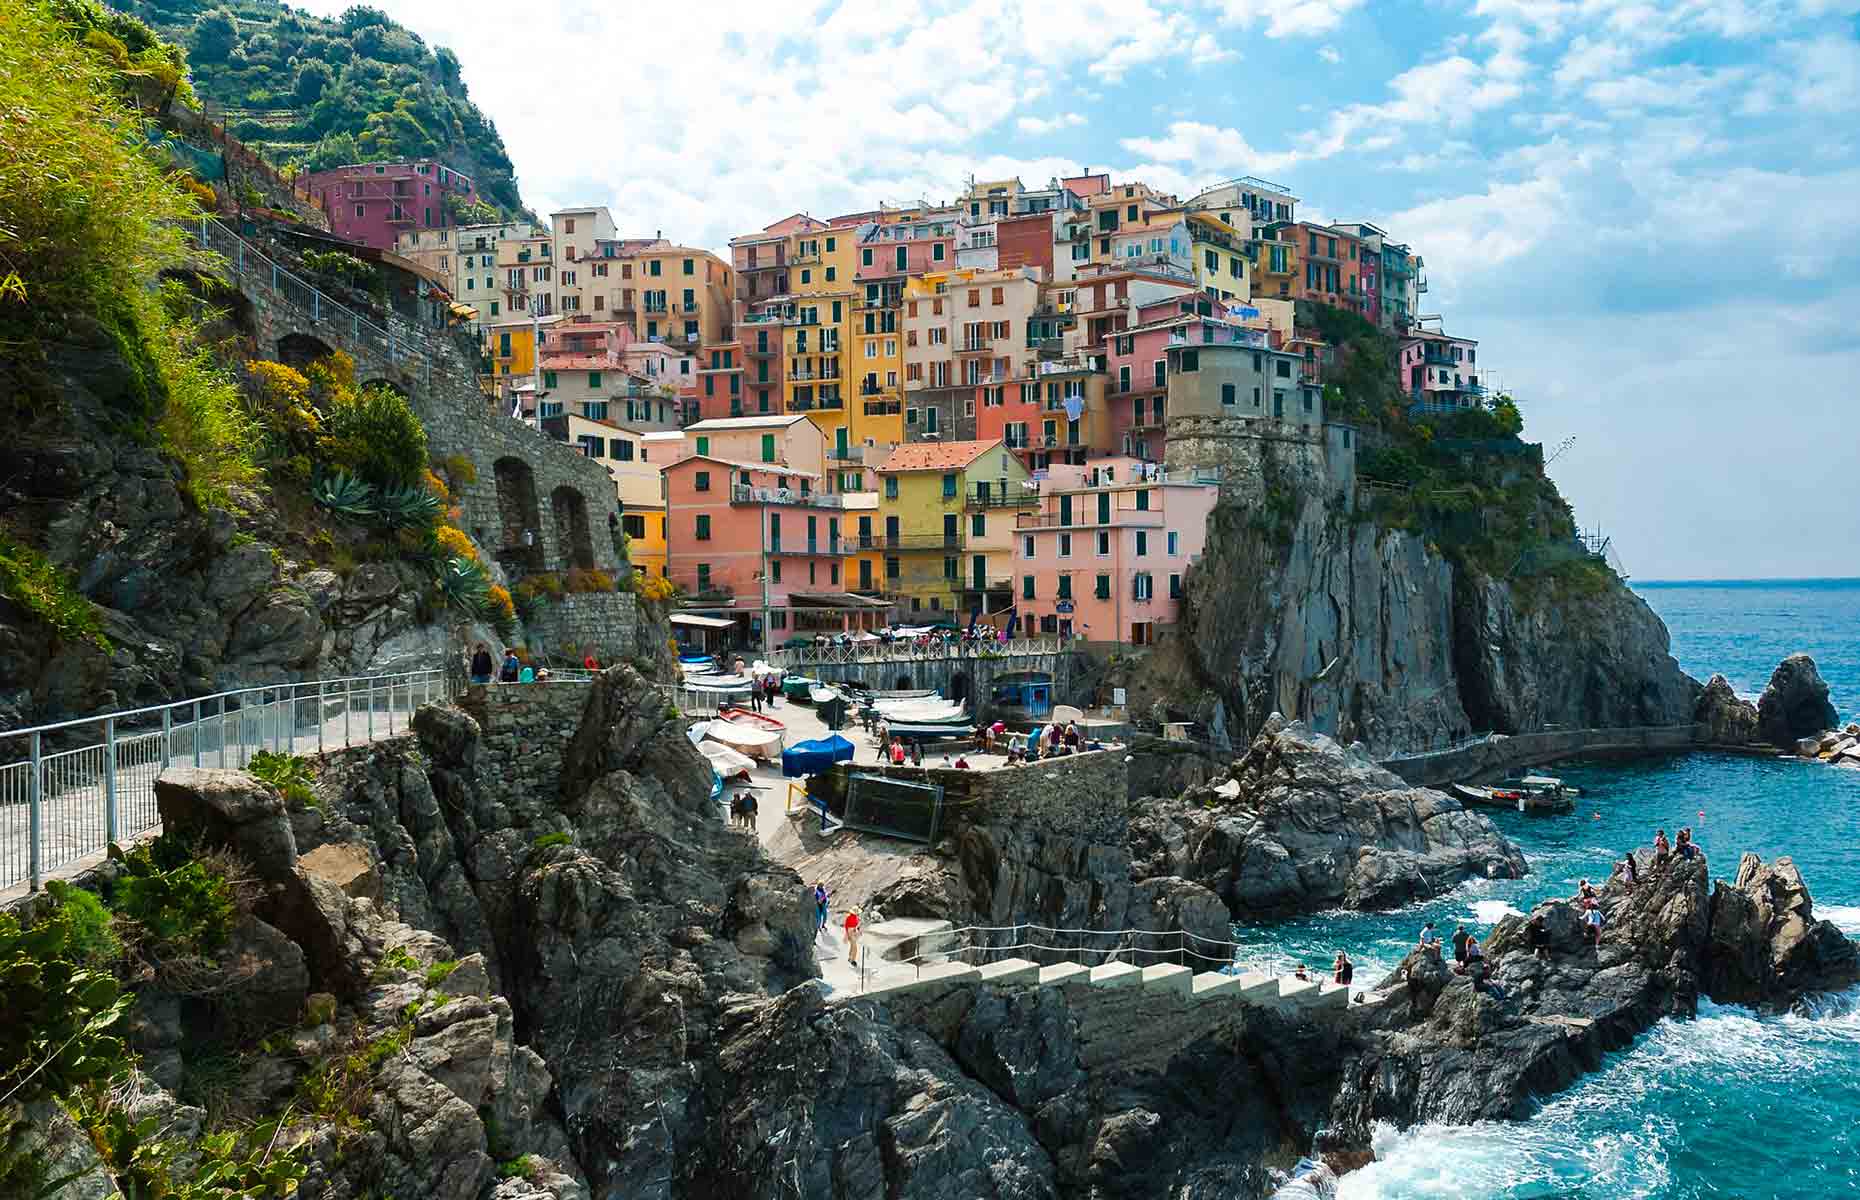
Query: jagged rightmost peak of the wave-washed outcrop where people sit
(1768,950)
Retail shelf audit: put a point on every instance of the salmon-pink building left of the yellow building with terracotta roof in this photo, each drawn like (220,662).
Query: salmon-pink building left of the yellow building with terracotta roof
(762,546)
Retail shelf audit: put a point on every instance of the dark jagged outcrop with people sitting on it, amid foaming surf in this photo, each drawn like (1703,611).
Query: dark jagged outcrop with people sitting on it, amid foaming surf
(1448,1048)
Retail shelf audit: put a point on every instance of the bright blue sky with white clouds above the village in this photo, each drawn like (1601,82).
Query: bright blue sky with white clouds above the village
(1647,215)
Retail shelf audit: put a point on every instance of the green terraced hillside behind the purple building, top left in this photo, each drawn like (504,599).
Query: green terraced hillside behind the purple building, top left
(319,92)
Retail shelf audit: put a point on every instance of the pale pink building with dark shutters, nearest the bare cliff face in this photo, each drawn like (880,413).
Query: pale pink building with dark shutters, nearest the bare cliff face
(1108,553)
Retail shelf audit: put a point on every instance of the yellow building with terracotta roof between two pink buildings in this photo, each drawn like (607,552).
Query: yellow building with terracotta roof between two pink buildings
(944,544)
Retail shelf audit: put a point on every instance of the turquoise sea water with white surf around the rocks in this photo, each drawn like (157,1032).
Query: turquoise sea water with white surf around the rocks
(1734,1104)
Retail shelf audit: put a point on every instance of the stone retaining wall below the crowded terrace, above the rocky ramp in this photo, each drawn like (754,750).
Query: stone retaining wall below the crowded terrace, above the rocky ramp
(1080,795)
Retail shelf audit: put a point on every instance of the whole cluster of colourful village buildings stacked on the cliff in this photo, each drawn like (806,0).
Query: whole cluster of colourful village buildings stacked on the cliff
(920,414)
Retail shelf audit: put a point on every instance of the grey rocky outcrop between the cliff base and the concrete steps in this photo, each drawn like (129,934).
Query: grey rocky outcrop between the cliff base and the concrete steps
(1301,823)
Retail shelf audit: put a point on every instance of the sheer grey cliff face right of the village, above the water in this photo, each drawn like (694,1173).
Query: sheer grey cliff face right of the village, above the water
(1374,635)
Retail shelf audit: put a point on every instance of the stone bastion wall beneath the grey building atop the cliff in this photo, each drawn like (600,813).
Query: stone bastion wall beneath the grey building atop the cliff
(1256,453)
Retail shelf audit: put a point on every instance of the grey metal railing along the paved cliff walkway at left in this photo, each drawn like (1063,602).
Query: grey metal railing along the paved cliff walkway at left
(60,805)
